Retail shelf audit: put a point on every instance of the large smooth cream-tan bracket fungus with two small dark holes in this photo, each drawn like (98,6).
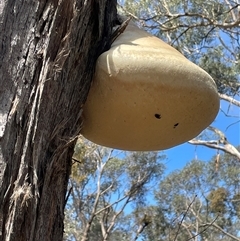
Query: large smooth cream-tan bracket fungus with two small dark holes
(147,96)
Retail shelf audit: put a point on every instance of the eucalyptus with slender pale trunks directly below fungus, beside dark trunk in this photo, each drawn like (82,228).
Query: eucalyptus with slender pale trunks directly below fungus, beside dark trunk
(105,186)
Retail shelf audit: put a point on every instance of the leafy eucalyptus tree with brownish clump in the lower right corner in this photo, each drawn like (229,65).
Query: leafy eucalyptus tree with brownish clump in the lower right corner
(199,202)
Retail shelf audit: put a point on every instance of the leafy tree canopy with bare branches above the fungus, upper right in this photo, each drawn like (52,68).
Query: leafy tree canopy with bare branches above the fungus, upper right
(205,32)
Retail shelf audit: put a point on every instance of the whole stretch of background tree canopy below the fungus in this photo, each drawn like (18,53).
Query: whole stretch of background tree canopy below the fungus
(125,196)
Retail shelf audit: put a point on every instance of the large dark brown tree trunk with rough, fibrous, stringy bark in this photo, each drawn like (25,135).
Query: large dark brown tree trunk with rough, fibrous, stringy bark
(48,50)
